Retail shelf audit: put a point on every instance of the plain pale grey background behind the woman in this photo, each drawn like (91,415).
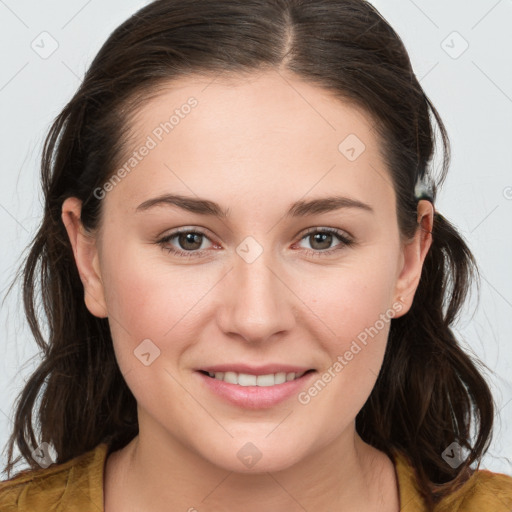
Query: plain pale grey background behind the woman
(461,52)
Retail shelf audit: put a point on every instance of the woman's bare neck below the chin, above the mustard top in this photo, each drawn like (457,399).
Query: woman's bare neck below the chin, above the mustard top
(347,475)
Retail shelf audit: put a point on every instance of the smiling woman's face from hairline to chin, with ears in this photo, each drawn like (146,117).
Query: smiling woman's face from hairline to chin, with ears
(289,261)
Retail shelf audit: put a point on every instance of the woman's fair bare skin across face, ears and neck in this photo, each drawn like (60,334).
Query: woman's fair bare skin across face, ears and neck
(254,144)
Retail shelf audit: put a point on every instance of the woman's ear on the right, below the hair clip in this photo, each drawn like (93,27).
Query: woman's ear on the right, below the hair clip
(413,256)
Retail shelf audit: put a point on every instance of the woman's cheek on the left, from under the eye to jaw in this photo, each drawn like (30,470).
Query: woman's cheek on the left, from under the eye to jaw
(154,309)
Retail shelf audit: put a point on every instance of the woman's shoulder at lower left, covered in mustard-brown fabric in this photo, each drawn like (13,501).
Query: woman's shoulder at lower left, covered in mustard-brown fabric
(74,485)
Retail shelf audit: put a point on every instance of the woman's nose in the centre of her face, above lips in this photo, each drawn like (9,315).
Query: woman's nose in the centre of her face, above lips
(257,301)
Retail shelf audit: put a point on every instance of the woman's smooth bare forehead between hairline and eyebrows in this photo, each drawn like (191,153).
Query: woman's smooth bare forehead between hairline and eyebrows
(250,134)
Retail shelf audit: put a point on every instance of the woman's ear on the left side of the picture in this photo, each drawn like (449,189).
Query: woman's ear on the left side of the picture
(85,250)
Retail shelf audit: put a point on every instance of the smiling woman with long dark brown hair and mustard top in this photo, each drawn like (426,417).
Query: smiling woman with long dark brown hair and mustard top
(248,289)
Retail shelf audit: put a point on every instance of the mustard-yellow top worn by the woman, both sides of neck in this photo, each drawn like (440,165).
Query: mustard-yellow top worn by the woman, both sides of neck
(77,486)
